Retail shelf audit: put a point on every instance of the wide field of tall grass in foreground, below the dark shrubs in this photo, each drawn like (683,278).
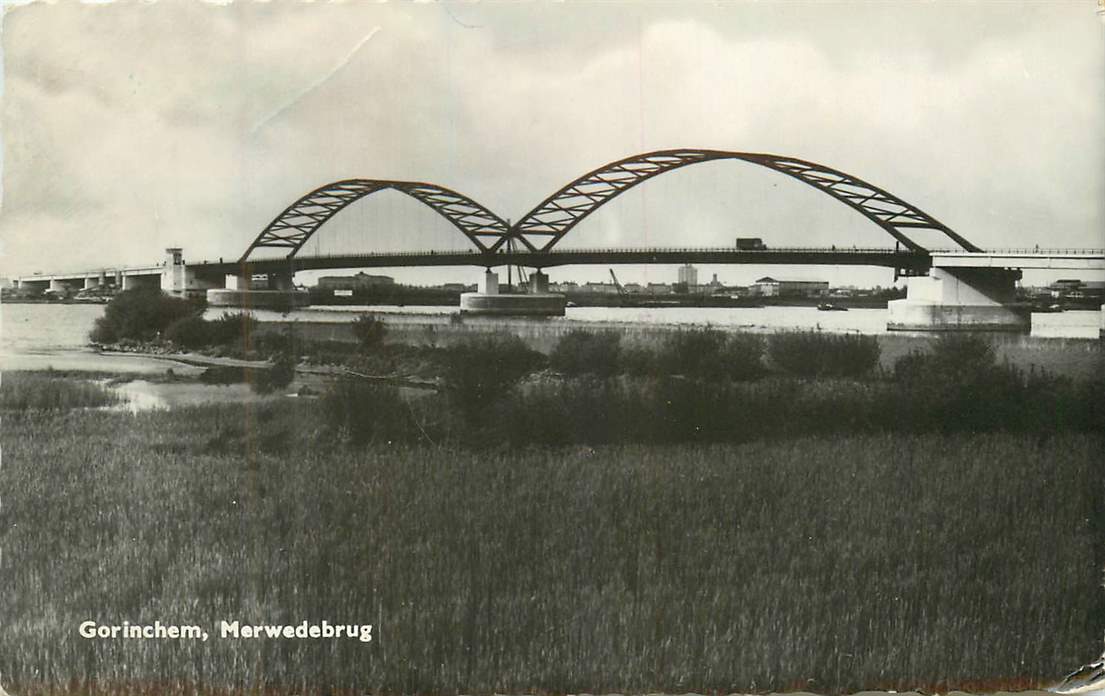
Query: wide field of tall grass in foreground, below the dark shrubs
(933,562)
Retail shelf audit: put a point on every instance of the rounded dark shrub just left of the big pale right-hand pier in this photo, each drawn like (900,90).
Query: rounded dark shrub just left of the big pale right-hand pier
(815,354)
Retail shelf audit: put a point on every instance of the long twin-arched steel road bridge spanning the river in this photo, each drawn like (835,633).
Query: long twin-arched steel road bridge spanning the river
(964,288)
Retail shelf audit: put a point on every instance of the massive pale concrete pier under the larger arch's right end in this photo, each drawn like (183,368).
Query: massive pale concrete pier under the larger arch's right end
(961,300)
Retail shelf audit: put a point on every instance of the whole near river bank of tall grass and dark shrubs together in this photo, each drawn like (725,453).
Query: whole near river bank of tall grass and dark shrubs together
(712,512)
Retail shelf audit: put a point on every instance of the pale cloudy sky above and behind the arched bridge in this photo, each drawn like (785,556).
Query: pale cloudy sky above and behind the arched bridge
(130,128)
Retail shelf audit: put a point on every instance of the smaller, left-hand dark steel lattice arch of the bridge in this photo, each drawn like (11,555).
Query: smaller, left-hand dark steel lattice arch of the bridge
(302,219)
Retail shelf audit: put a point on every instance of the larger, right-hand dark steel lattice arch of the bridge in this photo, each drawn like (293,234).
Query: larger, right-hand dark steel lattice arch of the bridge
(542,228)
